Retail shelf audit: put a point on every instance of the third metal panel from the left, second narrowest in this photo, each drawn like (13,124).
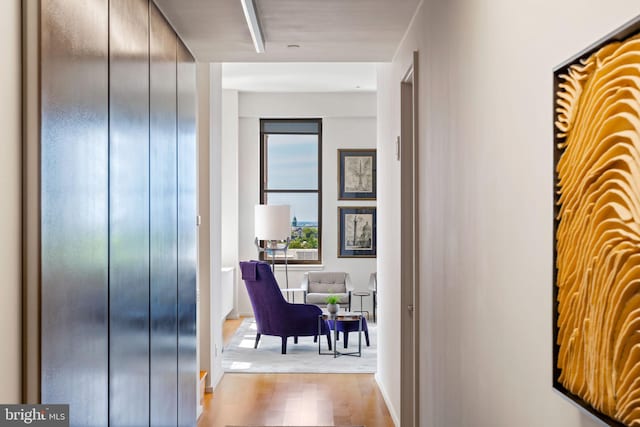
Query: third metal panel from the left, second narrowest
(164,218)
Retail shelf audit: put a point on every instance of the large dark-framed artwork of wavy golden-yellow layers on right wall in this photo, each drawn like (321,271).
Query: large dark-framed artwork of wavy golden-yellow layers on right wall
(597,228)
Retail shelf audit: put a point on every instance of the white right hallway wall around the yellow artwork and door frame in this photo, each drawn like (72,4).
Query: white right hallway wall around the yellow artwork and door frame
(486,153)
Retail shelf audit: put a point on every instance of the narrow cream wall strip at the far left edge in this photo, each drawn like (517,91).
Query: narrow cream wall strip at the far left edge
(10,214)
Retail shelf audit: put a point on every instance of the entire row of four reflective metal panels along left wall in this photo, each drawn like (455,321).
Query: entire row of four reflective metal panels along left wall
(118,210)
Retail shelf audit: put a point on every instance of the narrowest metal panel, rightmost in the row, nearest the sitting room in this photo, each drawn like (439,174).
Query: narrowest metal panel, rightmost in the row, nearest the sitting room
(187,369)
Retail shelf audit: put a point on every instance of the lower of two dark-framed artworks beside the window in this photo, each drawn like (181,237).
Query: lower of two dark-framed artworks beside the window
(357,232)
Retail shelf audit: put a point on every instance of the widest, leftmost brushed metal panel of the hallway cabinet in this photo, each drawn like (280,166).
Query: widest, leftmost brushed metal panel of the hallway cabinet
(74,209)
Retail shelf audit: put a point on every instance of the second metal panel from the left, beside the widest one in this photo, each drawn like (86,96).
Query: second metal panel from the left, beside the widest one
(129,213)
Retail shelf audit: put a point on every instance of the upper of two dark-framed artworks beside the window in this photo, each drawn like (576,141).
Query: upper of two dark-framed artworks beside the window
(357,174)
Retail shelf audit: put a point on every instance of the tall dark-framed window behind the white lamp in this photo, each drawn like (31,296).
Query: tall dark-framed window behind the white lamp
(291,174)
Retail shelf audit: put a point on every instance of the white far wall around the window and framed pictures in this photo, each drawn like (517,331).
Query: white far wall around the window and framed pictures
(348,122)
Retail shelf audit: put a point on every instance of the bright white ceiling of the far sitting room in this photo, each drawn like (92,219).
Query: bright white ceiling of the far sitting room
(300,77)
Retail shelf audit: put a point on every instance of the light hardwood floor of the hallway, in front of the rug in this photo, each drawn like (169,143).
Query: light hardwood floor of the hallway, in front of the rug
(294,399)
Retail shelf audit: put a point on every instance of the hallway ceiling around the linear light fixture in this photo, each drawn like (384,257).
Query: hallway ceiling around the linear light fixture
(325,30)
